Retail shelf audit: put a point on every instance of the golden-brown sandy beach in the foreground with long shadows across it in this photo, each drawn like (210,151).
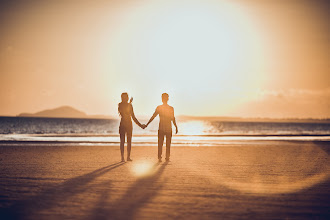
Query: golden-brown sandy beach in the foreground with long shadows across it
(261,180)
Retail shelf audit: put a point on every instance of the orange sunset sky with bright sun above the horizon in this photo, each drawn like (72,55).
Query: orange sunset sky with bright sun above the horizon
(238,58)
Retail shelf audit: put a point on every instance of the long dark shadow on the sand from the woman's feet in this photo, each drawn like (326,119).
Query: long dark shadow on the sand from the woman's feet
(51,196)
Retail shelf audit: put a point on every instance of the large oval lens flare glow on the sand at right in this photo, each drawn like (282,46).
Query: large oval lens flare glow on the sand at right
(281,174)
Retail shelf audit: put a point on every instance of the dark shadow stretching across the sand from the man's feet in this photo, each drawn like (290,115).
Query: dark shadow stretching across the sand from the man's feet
(142,191)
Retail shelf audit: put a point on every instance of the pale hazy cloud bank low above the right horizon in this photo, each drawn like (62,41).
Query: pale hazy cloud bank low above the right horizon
(291,103)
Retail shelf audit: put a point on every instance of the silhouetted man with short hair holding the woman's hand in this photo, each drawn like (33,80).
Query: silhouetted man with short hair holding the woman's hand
(166,117)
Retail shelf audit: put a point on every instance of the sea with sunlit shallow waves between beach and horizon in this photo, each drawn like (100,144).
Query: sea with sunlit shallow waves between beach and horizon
(191,131)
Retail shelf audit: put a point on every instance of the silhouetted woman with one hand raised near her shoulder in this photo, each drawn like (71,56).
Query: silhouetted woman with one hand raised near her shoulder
(126,113)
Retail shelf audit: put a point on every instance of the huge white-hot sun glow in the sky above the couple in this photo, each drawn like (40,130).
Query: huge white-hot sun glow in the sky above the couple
(177,46)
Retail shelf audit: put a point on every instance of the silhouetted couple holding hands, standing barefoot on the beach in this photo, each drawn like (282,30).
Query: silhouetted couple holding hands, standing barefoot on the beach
(166,116)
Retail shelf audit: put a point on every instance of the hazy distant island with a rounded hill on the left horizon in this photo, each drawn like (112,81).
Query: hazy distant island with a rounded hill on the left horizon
(61,112)
